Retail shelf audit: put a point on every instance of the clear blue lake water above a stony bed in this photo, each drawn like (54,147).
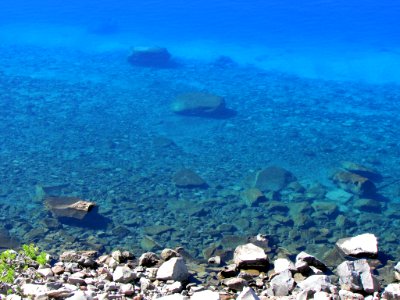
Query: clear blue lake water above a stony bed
(311,84)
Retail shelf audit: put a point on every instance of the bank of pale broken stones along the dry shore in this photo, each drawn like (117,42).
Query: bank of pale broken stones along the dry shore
(249,276)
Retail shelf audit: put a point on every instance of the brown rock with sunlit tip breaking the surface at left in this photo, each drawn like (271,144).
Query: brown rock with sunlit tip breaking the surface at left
(69,207)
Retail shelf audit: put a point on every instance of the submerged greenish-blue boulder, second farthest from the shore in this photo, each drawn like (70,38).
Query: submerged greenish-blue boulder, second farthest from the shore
(198,104)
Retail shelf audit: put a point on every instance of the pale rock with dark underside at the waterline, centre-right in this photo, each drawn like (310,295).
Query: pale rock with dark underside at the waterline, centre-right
(250,256)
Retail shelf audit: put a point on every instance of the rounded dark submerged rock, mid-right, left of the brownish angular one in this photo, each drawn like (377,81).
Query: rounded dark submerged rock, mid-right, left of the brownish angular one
(271,179)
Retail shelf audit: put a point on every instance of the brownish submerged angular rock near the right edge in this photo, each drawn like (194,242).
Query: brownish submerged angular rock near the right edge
(355,183)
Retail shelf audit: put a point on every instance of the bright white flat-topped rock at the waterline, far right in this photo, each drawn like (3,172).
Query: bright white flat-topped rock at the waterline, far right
(364,244)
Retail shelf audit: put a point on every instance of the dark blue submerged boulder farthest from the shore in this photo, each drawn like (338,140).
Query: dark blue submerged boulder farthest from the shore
(156,57)
